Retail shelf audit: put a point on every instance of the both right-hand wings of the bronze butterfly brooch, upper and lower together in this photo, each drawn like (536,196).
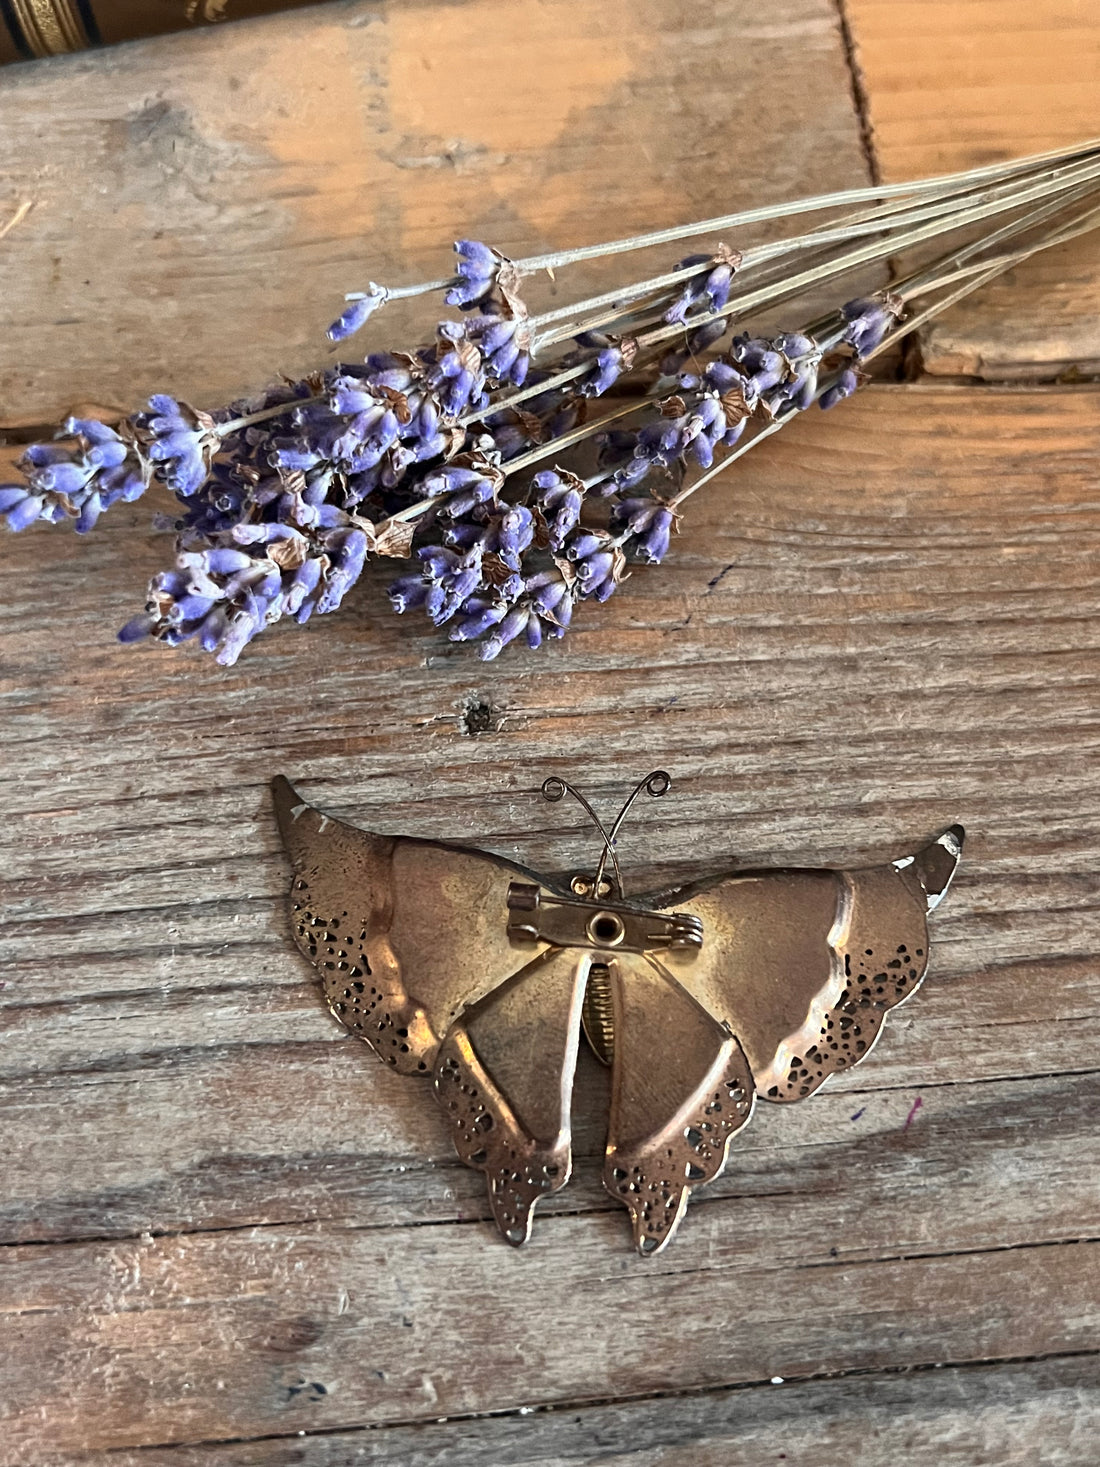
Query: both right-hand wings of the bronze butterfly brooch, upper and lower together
(793,984)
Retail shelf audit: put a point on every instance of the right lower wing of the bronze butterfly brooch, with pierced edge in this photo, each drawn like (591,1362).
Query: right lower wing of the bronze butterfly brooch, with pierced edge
(681,1088)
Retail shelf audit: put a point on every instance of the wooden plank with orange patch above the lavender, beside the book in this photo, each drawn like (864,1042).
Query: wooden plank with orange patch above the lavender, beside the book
(203,202)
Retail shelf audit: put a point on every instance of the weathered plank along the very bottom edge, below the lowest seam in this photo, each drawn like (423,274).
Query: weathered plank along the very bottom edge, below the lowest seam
(1042,1412)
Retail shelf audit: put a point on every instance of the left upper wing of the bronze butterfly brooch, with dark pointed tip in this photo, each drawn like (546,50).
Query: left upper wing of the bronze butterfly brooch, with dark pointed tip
(403,932)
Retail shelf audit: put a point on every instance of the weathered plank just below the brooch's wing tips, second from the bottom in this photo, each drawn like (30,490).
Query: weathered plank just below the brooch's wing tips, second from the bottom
(271,1331)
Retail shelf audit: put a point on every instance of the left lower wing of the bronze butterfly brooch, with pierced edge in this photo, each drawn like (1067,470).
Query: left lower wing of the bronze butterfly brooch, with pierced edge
(505,1076)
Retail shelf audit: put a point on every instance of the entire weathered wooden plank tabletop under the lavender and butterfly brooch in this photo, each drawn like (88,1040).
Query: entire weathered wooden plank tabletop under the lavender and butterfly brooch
(228,1236)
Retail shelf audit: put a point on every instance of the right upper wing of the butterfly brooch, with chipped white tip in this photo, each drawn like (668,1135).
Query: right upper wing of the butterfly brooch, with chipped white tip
(804,965)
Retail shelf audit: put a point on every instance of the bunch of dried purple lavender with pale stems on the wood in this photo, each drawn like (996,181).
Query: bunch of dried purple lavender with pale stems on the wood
(485,457)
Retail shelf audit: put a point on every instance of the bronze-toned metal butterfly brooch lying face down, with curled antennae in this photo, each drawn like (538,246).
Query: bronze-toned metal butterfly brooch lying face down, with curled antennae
(482,976)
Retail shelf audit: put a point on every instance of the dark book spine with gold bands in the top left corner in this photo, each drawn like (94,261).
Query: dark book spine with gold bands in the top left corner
(33,29)
